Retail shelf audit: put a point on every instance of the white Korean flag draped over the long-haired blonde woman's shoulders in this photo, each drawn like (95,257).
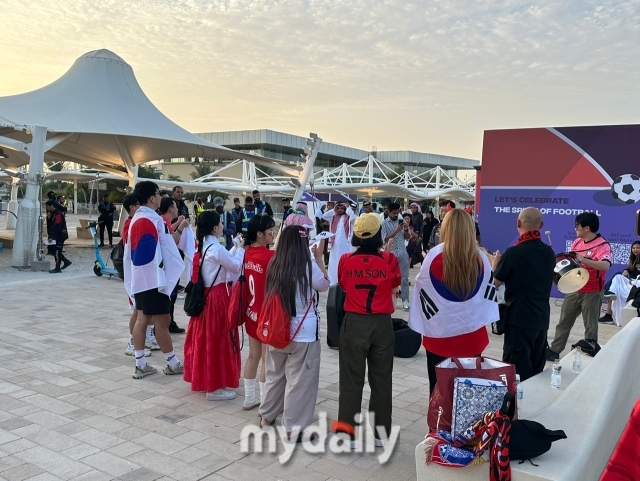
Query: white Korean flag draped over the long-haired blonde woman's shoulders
(436,312)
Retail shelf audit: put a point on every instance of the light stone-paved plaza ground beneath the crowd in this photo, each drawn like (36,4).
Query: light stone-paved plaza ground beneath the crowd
(69,409)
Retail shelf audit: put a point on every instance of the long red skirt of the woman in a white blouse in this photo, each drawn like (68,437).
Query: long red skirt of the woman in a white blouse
(209,360)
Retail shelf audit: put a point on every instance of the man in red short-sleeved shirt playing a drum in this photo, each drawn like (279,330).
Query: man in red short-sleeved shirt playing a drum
(594,253)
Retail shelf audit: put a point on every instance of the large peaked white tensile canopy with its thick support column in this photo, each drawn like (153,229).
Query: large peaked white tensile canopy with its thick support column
(97,115)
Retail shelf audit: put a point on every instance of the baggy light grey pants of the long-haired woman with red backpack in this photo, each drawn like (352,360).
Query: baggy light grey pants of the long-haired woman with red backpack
(291,385)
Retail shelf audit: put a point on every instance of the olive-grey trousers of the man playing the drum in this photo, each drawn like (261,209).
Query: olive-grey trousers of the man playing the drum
(587,303)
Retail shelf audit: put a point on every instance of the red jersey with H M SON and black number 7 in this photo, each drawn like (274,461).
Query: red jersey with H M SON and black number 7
(368,279)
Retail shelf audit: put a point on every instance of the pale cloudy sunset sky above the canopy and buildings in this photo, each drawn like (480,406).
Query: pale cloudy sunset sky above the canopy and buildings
(429,76)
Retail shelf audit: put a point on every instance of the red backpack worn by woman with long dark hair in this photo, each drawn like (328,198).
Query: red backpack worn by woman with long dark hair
(274,324)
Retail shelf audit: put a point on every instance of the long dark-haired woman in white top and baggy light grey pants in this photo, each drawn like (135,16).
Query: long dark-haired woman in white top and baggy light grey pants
(293,372)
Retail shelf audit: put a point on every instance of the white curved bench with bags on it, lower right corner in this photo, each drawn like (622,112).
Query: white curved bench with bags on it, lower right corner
(592,408)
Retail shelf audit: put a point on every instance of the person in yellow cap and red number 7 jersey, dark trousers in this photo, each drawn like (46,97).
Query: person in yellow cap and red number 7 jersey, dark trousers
(368,276)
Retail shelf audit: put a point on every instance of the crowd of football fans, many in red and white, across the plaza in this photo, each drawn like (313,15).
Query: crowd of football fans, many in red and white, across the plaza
(367,254)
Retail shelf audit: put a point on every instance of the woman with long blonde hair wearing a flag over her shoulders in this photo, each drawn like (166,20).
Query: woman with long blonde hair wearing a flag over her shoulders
(455,295)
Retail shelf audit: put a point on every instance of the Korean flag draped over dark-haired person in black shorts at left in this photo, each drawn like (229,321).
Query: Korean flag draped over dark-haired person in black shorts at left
(151,257)
